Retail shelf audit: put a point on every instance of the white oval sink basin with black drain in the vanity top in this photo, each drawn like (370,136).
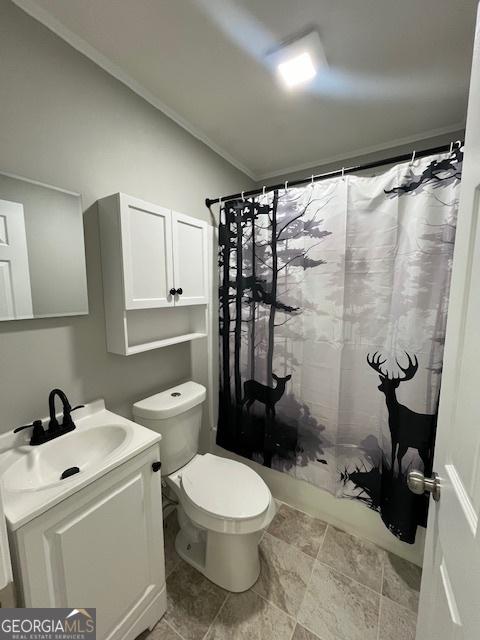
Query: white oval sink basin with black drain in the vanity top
(42,466)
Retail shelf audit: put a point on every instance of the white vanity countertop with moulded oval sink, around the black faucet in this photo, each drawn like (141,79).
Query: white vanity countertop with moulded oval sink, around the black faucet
(30,476)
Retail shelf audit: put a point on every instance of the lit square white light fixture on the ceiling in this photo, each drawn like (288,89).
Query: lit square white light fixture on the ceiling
(298,59)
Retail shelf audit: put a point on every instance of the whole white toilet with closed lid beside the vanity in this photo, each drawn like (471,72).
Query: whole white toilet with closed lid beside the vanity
(223,505)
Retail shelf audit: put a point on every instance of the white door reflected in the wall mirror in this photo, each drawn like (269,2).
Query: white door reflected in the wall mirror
(15,291)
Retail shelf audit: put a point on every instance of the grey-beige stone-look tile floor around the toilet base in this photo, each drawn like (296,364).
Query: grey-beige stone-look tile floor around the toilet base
(316,583)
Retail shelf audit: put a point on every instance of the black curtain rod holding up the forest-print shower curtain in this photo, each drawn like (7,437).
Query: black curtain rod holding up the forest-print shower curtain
(333,174)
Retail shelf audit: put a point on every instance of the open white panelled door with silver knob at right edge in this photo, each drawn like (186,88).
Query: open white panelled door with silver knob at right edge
(450,593)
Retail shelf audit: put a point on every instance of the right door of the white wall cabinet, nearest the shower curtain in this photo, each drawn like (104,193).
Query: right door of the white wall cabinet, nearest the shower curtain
(190,257)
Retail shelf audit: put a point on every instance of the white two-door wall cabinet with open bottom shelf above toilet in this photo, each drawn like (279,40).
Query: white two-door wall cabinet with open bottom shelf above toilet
(154,263)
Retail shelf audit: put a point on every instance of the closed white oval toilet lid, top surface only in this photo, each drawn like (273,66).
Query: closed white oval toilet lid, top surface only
(225,488)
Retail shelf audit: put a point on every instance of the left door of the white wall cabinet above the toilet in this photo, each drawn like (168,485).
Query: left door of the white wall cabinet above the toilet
(147,254)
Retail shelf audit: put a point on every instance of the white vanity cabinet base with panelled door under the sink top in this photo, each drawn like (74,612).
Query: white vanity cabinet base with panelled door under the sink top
(100,547)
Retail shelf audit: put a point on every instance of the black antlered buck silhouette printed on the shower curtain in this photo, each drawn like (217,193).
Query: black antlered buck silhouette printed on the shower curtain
(408,429)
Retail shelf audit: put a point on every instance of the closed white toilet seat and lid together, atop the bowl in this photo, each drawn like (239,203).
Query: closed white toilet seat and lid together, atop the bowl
(223,495)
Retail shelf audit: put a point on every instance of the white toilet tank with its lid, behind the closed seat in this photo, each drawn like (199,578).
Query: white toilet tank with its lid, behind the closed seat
(177,414)
